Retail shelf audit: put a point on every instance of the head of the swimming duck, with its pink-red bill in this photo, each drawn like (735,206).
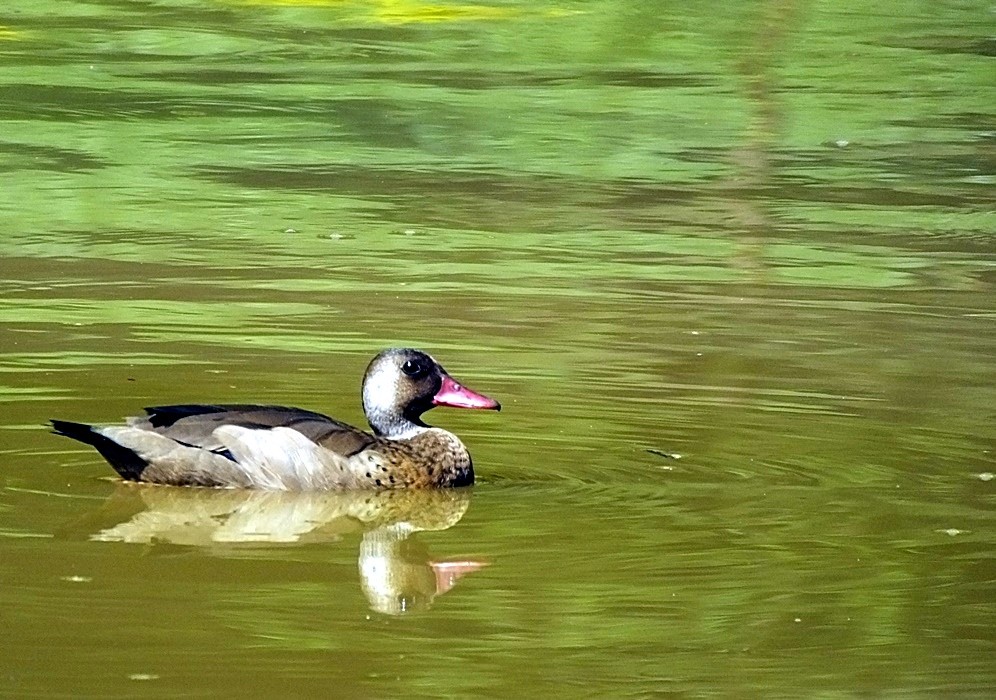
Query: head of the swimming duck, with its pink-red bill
(401,384)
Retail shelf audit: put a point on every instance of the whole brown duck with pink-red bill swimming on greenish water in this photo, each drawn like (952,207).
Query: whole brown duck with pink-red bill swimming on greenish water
(292,449)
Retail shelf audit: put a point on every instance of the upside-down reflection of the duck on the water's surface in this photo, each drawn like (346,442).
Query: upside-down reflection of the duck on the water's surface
(397,573)
